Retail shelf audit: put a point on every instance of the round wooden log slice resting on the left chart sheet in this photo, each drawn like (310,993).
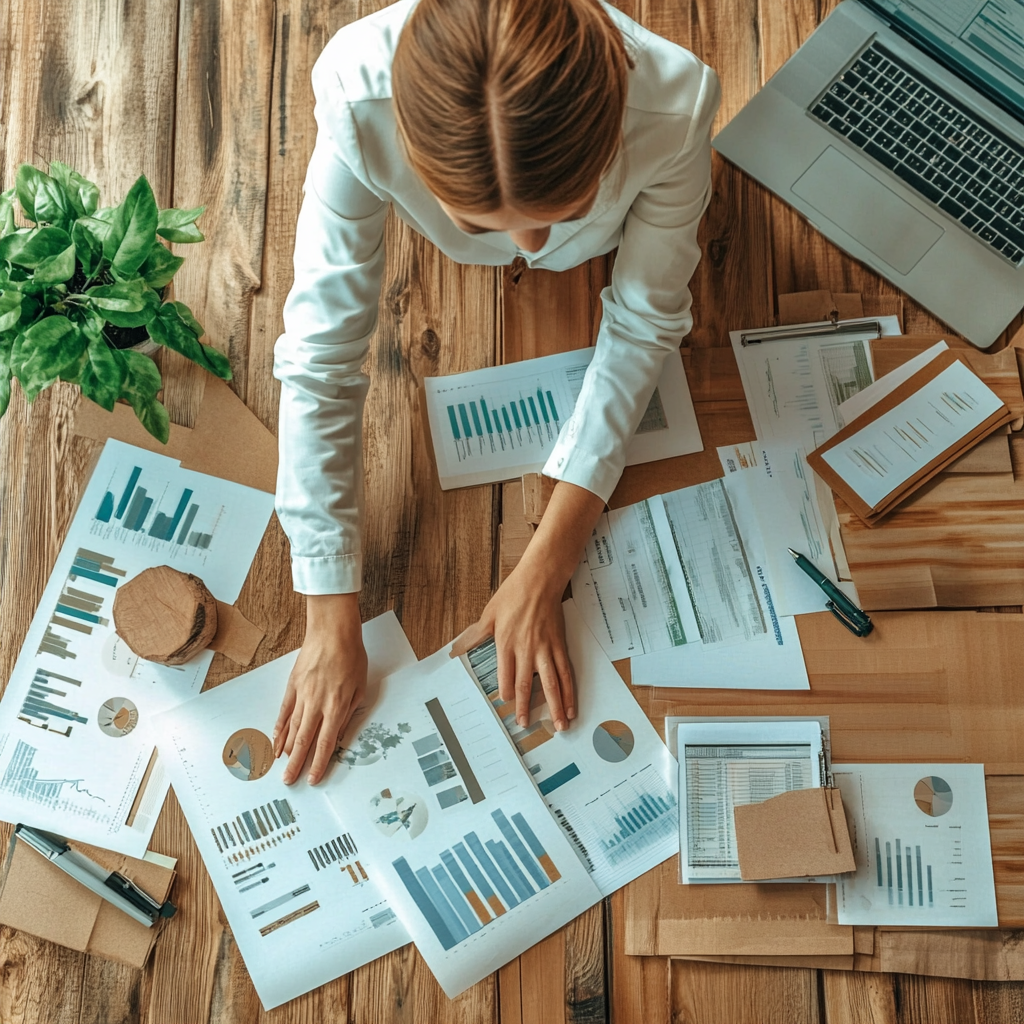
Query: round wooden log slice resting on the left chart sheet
(165,616)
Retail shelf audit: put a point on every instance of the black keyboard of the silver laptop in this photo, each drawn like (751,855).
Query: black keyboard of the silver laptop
(937,147)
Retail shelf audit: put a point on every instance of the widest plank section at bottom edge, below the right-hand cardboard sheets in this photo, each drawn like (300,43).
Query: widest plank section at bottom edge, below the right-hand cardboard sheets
(721,994)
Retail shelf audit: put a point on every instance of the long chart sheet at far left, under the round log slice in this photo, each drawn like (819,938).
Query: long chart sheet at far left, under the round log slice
(77,744)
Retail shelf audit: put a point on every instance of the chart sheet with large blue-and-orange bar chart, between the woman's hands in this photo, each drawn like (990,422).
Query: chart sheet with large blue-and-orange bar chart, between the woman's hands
(454,829)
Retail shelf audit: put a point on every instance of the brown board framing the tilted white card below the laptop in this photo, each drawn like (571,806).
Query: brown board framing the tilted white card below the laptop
(872,515)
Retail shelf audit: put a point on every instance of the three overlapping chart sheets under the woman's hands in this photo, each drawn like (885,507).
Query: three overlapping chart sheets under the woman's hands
(442,822)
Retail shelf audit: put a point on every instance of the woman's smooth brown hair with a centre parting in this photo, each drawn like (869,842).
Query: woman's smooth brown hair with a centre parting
(515,103)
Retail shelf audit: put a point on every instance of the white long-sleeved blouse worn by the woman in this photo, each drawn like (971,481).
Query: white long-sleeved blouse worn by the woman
(649,205)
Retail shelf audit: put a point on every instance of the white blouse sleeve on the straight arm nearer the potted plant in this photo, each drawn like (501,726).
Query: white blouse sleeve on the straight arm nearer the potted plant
(329,316)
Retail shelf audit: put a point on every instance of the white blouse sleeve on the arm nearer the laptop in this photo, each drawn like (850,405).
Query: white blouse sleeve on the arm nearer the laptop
(647,310)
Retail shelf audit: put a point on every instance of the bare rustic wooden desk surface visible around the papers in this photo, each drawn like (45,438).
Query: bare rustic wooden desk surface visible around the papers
(211,100)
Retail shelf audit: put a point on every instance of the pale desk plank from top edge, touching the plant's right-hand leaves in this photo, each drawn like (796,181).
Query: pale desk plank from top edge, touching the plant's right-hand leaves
(222,137)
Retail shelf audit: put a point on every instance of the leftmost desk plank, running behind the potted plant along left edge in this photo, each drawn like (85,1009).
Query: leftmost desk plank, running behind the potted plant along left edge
(94,87)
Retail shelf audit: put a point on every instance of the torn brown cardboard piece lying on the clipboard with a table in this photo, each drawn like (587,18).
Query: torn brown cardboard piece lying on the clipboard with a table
(801,833)
